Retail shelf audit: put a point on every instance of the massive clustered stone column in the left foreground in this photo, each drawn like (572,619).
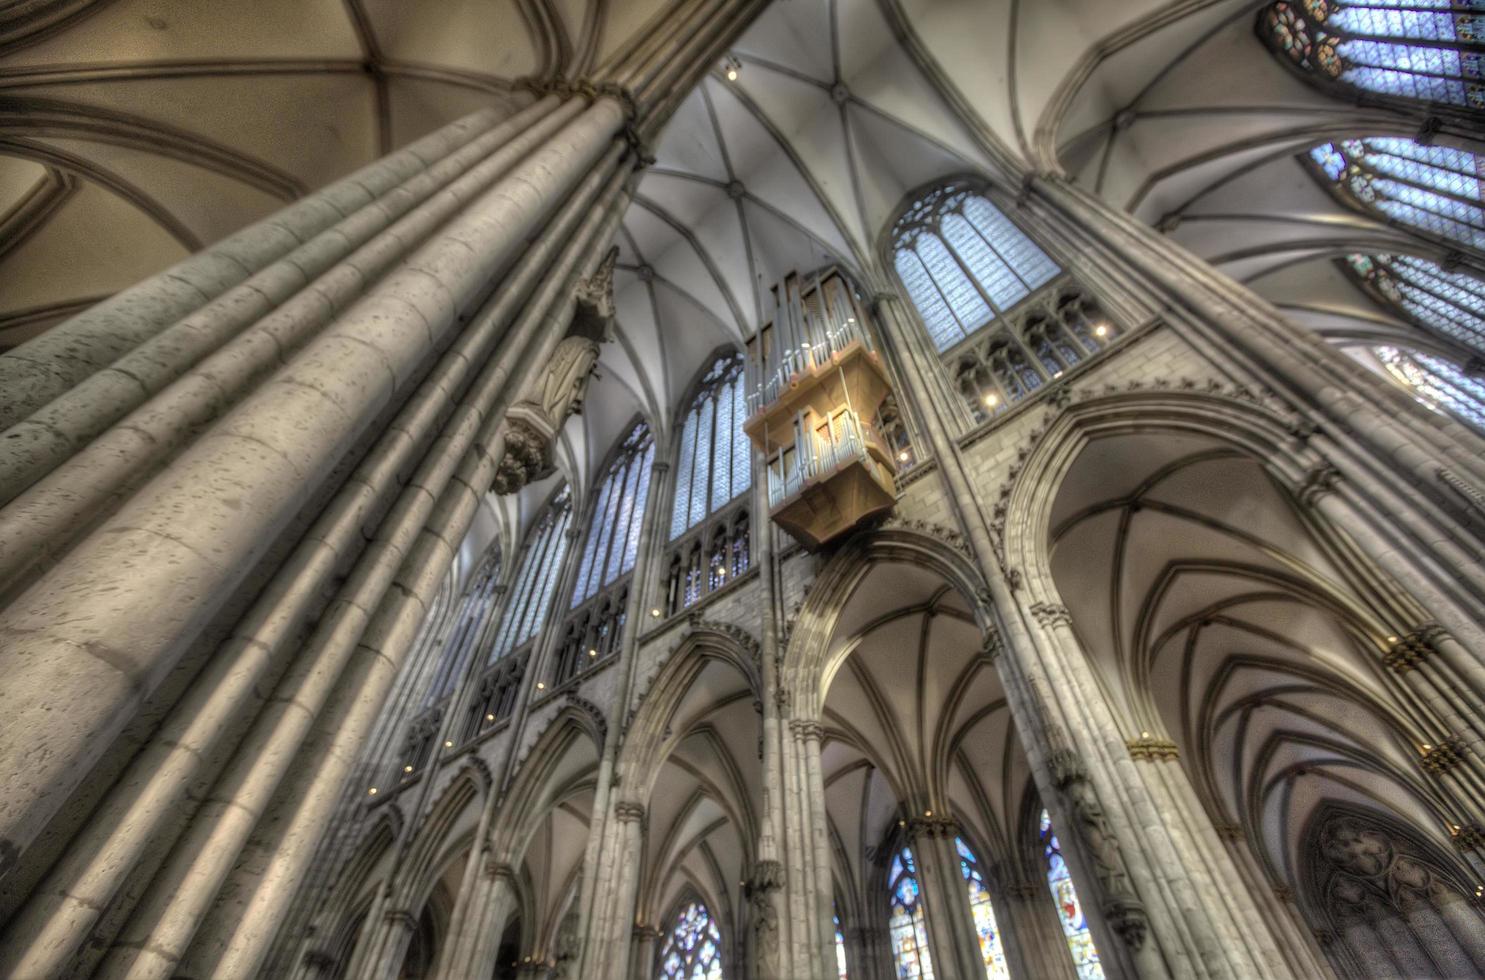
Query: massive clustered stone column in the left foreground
(330,391)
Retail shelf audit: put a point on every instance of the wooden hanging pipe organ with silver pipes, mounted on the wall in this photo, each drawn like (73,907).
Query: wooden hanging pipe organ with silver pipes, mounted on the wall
(815,382)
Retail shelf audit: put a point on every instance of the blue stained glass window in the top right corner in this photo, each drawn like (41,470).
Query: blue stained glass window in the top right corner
(1422,50)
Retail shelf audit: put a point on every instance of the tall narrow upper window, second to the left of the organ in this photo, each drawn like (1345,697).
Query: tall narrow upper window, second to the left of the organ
(614,534)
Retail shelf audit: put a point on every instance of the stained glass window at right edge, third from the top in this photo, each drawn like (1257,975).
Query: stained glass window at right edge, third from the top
(1447,304)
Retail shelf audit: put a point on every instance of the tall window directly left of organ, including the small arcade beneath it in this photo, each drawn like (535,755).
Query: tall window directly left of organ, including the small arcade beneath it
(711,529)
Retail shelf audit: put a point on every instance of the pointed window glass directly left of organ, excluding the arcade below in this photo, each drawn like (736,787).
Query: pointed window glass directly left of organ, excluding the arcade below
(717,458)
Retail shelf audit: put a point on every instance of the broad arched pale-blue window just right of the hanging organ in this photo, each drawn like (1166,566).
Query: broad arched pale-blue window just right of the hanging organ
(965,264)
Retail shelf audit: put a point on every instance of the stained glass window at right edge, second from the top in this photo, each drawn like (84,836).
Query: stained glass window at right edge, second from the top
(1432,189)
